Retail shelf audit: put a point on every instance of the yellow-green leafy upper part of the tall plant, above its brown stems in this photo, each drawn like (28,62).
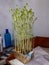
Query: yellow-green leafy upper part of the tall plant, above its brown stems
(23,22)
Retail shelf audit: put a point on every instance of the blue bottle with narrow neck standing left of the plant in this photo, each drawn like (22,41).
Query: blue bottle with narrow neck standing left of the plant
(7,37)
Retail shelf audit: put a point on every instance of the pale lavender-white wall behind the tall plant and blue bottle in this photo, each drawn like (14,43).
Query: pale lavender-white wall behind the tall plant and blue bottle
(40,7)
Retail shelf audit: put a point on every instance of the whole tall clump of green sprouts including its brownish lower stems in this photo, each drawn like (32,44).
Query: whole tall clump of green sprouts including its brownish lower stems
(23,20)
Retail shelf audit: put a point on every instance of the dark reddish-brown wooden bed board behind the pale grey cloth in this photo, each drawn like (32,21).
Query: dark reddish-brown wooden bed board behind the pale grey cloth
(41,41)
